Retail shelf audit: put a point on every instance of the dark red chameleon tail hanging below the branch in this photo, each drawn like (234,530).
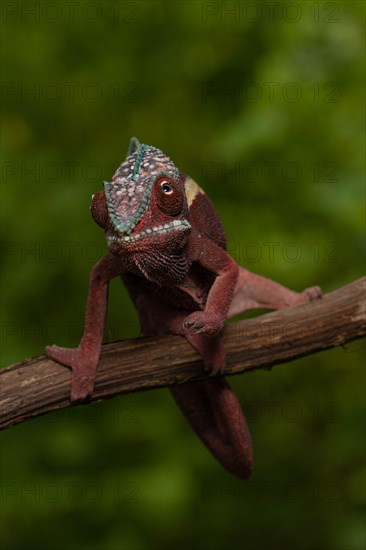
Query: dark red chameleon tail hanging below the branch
(214,412)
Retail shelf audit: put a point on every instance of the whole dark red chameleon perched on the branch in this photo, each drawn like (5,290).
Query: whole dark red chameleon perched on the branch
(167,243)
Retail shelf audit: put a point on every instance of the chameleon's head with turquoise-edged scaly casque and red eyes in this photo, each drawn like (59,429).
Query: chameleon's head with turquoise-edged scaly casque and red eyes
(145,204)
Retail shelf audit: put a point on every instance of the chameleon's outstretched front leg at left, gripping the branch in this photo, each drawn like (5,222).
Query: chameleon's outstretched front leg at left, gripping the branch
(84,359)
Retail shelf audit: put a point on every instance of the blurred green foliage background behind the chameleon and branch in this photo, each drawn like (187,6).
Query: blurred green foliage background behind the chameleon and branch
(262,104)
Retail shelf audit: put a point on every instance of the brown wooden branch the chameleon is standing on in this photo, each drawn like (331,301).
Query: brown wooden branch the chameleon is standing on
(37,386)
